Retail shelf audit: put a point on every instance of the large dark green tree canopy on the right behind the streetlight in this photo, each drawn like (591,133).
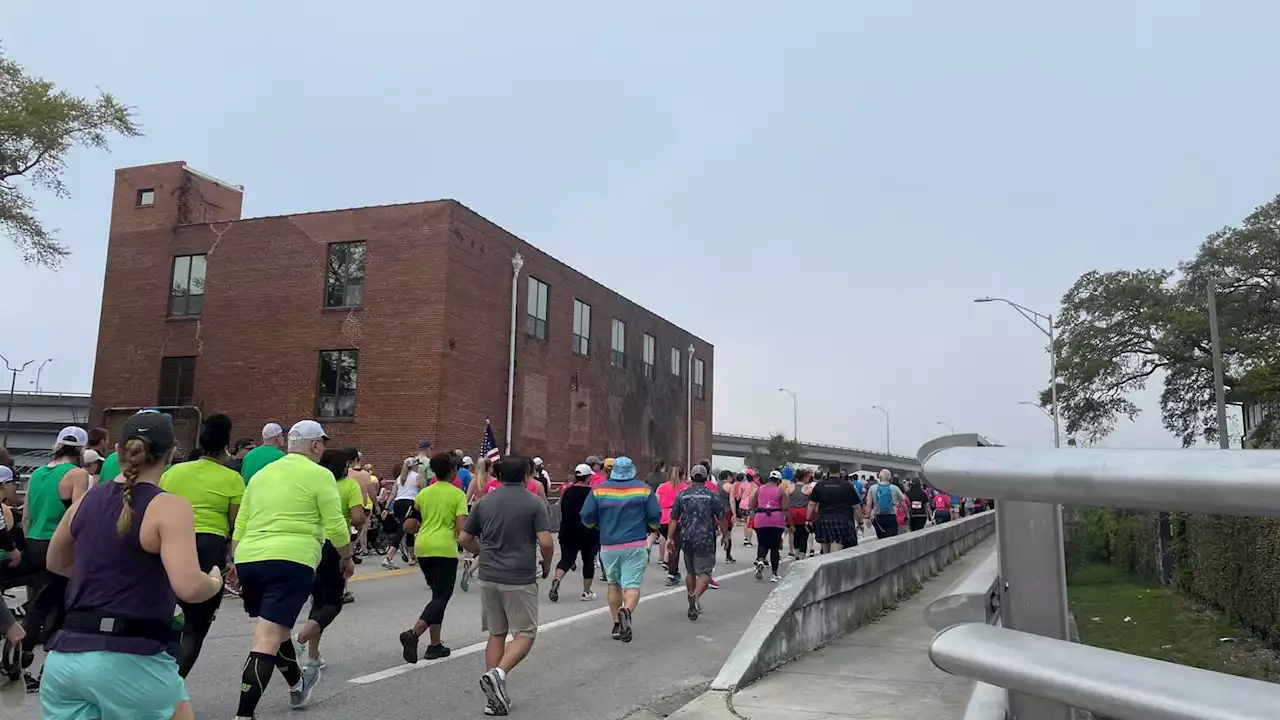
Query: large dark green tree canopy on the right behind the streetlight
(1119,330)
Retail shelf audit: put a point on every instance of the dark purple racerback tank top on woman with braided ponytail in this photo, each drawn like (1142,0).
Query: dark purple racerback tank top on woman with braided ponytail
(113,575)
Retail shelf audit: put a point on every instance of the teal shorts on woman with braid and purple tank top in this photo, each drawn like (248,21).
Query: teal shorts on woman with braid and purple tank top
(111,686)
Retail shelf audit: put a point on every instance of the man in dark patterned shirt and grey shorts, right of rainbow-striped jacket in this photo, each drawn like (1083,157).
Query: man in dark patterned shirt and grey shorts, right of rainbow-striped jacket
(696,518)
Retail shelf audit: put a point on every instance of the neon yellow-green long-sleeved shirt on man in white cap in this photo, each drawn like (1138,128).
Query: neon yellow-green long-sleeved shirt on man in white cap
(290,514)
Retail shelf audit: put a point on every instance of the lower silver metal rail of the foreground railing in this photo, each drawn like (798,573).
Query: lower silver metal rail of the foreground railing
(1119,686)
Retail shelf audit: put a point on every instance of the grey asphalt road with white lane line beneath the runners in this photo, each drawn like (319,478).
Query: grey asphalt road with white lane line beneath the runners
(575,669)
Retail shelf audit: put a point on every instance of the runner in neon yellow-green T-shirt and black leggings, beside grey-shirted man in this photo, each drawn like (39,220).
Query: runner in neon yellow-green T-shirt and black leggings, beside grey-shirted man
(437,520)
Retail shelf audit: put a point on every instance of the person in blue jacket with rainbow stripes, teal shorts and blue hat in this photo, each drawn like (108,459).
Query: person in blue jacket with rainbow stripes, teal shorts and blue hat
(627,512)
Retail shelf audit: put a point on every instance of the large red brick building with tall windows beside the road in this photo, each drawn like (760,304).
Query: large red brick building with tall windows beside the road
(390,325)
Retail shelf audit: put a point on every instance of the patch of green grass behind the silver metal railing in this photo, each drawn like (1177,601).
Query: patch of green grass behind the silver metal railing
(1162,625)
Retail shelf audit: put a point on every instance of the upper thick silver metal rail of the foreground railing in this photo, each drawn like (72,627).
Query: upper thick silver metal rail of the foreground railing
(1244,482)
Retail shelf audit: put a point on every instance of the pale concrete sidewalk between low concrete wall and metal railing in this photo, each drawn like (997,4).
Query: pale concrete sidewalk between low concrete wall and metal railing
(880,672)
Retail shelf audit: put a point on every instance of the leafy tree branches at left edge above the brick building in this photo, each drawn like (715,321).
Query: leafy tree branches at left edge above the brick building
(39,127)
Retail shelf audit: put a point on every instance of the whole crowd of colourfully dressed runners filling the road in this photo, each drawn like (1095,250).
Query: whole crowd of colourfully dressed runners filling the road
(127,554)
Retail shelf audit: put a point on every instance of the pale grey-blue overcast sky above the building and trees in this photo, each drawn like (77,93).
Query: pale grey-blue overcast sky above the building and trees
(819,189)
